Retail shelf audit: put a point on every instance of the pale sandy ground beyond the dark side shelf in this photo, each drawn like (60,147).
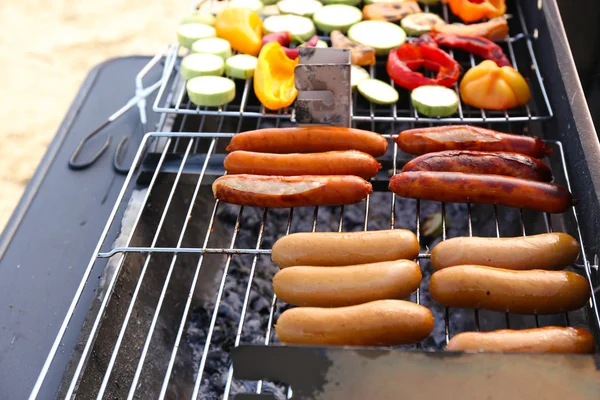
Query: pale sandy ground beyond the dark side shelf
(46,49)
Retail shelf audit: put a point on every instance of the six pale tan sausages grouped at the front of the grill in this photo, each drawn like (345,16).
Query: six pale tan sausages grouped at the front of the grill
(347,288)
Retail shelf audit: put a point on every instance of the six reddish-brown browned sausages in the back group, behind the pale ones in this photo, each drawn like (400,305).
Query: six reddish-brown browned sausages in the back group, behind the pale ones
(312,166)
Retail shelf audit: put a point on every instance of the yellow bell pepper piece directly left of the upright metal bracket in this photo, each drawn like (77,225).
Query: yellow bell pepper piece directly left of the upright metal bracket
(274,77)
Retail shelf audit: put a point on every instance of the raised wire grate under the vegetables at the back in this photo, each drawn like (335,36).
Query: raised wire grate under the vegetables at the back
(172,97)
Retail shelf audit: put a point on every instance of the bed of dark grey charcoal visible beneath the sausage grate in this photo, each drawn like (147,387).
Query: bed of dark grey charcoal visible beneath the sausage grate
(260,297)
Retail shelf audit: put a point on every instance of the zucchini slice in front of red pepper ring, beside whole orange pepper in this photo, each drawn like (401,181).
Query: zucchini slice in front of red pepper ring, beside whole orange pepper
(434,100)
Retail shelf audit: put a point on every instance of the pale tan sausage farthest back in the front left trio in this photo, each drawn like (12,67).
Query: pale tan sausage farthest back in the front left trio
(344,248)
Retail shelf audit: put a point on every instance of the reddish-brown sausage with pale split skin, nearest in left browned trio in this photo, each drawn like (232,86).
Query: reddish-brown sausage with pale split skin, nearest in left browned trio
(291,191)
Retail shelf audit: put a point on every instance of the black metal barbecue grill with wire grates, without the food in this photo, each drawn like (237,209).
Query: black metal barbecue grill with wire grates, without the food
(184,306)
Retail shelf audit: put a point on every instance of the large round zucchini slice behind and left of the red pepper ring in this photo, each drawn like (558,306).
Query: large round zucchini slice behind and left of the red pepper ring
(381,35)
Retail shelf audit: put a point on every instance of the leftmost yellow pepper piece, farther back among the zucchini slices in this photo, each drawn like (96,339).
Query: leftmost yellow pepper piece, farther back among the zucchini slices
(242,28)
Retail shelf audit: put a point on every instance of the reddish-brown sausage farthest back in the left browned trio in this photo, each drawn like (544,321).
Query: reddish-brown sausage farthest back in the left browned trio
(309,139)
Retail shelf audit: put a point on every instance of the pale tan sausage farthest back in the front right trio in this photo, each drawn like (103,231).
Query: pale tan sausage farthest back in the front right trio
(546,251)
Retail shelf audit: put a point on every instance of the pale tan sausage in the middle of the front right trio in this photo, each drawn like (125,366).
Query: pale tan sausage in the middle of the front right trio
(521,292)
